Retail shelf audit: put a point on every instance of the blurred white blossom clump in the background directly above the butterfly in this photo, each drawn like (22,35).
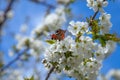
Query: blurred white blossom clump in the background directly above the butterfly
(55,20)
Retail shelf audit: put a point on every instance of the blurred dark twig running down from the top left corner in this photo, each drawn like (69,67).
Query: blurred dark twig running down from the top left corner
(5,13)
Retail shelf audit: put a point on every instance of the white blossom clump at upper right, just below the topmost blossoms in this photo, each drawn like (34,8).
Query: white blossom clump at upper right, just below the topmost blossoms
(105,22)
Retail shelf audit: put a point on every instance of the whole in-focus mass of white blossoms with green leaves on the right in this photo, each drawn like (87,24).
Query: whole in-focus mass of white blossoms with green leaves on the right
(81,56)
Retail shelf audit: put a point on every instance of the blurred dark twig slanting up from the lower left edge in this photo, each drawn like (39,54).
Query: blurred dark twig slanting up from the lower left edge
(13,61)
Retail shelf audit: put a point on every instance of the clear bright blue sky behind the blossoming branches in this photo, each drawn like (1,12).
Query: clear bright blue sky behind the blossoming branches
(24,8)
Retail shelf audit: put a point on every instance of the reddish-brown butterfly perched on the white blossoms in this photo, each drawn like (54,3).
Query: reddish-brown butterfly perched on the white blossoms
(59,35)
